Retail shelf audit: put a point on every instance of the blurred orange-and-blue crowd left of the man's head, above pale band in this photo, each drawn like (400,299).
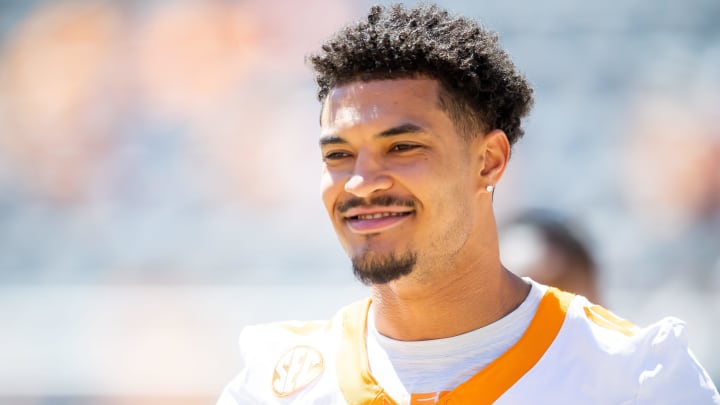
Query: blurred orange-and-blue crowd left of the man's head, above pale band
(167,141)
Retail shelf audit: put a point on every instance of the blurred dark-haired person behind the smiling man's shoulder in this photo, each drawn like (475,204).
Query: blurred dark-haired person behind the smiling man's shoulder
(545,246)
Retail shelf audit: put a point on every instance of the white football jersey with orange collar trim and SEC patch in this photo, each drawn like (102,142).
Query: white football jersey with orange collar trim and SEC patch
(573,352)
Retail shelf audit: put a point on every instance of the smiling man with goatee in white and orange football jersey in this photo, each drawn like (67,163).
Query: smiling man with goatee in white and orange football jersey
(419,110)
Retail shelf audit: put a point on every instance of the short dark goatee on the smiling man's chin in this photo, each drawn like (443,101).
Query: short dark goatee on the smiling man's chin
(382,270)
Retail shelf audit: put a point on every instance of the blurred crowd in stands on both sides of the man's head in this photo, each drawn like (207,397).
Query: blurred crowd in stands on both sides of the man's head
(172,142)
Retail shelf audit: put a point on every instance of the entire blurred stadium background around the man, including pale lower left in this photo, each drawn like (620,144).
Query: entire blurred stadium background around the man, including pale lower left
(159,177)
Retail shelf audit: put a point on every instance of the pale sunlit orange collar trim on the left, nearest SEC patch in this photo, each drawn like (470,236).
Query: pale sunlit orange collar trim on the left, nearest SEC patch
(356,382)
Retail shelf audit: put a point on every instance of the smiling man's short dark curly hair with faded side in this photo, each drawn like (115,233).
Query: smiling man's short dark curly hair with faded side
(481,88)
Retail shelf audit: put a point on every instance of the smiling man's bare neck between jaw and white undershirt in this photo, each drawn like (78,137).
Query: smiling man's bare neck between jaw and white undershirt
(409,309)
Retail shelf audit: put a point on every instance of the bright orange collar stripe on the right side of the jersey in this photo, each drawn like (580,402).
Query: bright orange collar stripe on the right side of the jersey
(494,380)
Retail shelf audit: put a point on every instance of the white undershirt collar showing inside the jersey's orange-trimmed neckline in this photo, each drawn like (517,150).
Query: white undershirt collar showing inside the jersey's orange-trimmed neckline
(429,366)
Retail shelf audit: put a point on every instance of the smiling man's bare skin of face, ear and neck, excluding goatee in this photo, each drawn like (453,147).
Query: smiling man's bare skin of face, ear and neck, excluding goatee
(390,138)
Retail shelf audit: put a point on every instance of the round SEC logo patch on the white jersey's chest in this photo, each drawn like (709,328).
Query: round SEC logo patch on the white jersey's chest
(296,369)
